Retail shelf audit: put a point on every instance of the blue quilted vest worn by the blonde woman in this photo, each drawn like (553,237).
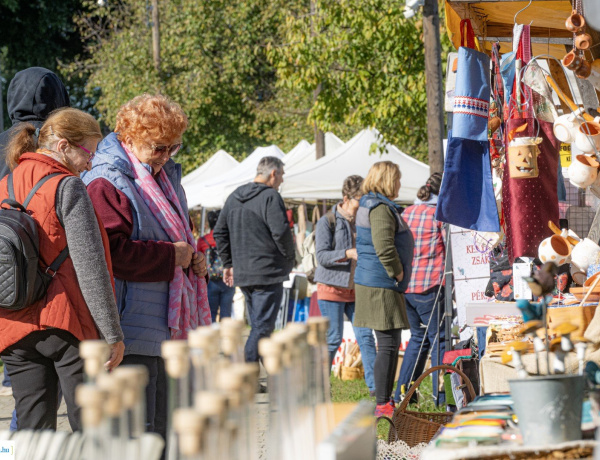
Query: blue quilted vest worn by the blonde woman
(369,269)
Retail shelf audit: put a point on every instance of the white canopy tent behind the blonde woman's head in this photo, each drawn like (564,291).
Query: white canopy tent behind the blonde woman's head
(323,179)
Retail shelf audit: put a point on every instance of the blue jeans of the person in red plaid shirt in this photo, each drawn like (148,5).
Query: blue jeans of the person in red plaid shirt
(419,308)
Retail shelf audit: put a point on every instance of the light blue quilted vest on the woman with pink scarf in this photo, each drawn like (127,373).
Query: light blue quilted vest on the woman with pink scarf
(142,306)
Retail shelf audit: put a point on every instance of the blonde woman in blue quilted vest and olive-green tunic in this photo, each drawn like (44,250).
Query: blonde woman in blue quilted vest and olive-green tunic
(385,246)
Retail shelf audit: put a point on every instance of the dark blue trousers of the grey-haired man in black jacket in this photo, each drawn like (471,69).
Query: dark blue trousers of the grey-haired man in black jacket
(262,305)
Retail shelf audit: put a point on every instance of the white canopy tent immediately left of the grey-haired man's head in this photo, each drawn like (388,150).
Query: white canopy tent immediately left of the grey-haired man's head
(212,194)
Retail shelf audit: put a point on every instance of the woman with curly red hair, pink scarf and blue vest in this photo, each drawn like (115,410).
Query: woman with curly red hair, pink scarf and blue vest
(135,187)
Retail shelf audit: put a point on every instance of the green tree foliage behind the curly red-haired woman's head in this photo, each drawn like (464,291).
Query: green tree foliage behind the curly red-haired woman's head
(213,63)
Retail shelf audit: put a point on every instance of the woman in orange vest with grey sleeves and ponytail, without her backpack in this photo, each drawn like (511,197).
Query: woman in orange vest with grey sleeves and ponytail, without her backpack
(40,343)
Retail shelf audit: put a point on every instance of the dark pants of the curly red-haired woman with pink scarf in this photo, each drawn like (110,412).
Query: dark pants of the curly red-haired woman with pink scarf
(156,392)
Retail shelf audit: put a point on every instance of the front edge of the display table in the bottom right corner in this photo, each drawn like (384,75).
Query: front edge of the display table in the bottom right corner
(573,449)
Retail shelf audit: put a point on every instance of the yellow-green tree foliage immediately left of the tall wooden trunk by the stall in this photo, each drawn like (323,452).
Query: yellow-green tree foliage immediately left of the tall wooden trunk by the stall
(366,63)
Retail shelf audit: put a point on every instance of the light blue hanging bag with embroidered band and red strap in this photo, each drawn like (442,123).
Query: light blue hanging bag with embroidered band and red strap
(472,92)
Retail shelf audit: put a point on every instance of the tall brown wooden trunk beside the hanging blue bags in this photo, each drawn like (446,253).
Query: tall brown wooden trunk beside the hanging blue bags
(435,92)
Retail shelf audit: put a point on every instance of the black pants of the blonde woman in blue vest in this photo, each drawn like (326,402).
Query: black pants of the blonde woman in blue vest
(386,362)
